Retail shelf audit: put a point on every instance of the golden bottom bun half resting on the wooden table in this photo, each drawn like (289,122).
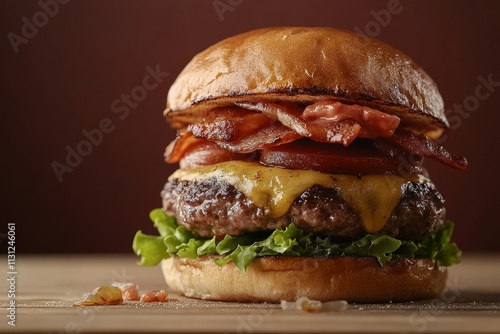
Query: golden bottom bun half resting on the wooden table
(272,279)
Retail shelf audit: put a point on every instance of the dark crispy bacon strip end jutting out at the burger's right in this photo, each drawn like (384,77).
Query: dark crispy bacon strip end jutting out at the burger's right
(418,144)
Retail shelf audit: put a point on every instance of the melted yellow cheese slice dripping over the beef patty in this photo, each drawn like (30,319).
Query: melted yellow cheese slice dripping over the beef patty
(374,197)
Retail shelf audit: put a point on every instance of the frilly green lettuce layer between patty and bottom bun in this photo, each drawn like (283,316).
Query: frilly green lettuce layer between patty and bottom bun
(289,241)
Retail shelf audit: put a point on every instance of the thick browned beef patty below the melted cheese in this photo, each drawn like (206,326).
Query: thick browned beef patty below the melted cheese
(214,208)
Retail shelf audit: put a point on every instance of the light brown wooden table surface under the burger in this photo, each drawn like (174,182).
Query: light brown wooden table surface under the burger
(46,287)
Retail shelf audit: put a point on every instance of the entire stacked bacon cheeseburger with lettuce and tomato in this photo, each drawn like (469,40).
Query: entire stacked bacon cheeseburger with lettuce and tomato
(300,156)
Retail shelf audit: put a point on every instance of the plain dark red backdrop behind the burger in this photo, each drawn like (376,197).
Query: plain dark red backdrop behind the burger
(65,79)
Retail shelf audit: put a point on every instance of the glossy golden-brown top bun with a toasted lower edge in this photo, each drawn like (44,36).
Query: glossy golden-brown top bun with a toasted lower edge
(306,65)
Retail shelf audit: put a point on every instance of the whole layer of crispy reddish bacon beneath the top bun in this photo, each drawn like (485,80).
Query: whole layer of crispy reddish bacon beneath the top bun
(250,127)
